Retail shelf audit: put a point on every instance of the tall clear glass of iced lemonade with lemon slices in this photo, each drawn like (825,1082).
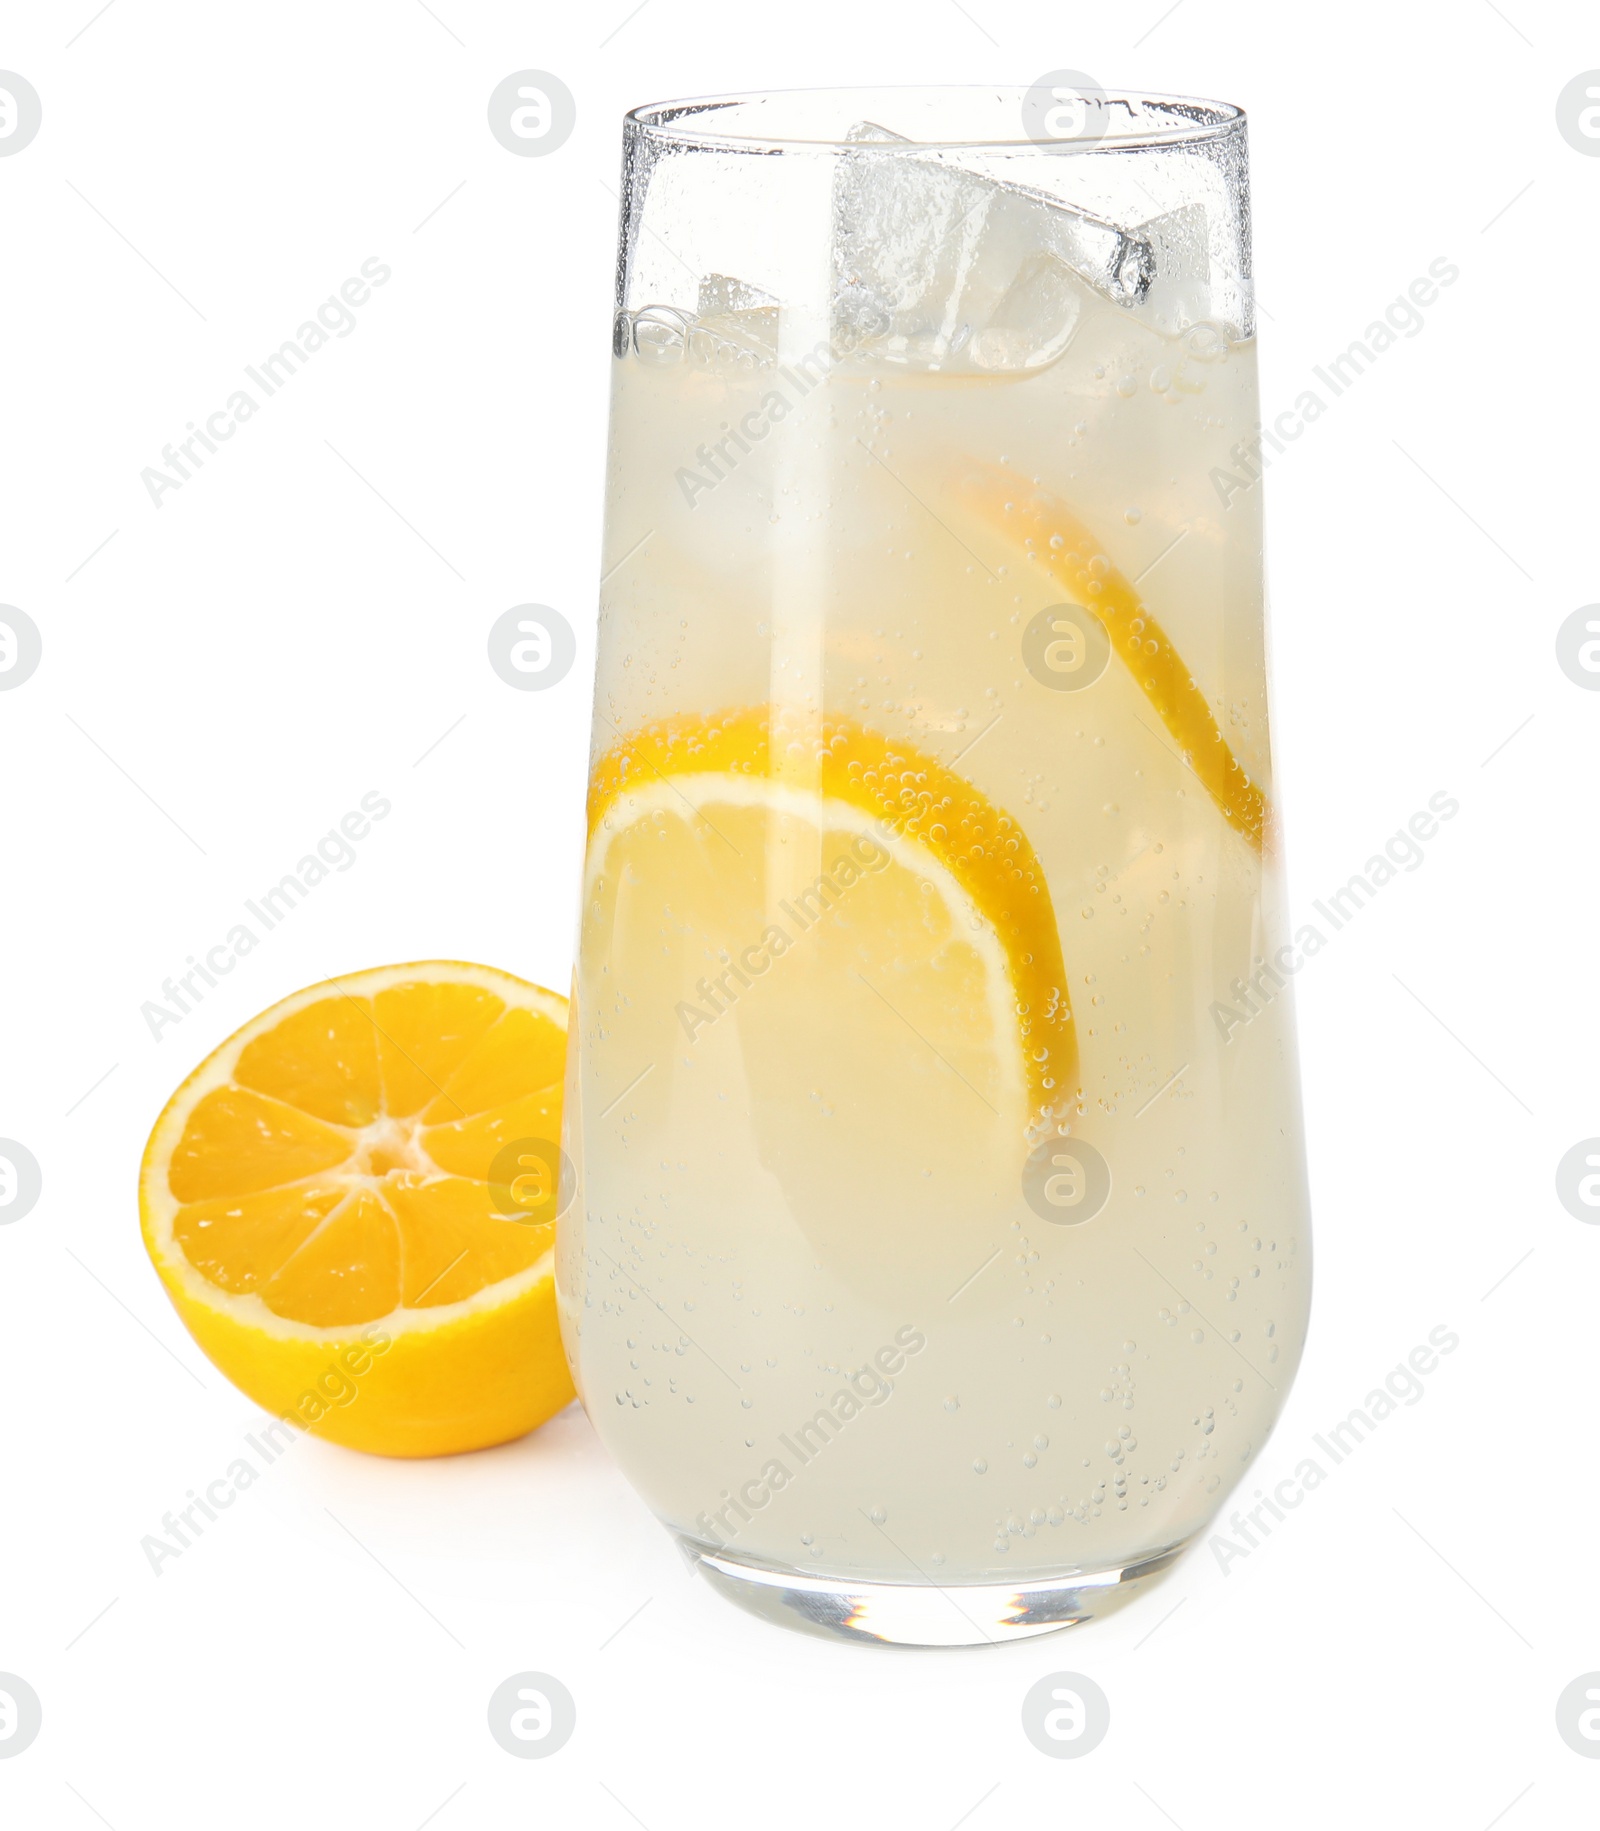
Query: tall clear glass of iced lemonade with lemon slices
(940,1255)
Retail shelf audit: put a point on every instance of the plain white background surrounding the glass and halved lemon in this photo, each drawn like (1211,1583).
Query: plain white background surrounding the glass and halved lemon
(307,622)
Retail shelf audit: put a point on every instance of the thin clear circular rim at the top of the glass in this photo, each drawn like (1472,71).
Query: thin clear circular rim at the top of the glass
(1193,120)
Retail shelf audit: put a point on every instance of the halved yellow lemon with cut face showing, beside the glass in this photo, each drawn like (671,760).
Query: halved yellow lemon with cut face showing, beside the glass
(352,1206)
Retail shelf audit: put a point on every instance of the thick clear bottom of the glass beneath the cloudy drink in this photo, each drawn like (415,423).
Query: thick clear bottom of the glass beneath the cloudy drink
(841,1609)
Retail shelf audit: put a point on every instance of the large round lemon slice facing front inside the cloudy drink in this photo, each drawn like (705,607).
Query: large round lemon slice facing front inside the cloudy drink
(843,959)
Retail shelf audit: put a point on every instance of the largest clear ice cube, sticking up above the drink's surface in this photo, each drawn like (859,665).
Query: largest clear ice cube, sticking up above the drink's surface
(944,268)
